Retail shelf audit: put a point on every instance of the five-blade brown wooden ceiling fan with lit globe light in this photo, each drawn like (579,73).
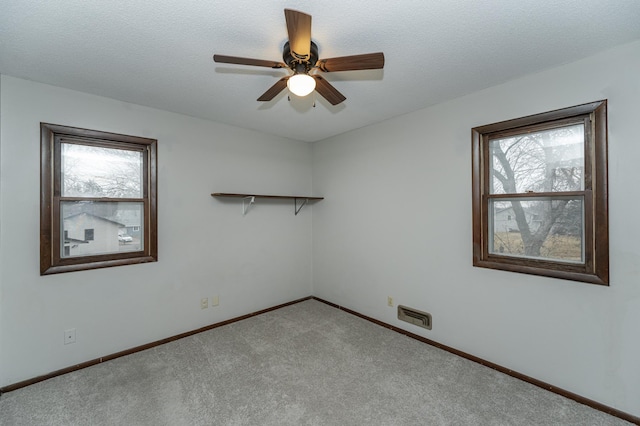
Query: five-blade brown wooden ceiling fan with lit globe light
(300,56)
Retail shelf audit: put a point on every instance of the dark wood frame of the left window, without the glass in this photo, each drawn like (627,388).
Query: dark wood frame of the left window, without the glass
(51,260)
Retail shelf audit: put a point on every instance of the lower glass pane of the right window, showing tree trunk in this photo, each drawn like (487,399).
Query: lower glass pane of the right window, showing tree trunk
(549,229)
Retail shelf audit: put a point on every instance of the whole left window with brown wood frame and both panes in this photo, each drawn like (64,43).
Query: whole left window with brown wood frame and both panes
(95,186)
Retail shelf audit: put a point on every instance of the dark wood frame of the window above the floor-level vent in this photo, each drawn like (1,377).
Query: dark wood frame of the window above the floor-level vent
(595,268)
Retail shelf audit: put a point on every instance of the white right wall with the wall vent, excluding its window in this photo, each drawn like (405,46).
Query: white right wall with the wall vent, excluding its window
(396,222)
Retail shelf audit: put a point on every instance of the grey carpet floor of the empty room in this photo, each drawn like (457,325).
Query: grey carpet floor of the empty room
(304,364)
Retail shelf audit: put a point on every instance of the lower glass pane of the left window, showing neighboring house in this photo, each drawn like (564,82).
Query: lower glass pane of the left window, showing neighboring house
(113,227)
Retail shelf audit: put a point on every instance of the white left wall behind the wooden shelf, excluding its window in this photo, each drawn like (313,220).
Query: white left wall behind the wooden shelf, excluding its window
(206,246)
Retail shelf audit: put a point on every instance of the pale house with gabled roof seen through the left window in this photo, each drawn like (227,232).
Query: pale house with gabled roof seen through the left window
(87,234)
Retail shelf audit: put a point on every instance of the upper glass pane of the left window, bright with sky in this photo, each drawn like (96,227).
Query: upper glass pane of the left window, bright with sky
(92,171)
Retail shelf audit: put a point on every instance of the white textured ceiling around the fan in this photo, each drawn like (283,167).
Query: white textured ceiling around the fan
(159,53)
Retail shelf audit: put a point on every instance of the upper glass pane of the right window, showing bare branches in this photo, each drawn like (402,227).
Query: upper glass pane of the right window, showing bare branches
(545,161)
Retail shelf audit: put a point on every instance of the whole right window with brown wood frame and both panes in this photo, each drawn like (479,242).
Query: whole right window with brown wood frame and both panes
(540,194)
